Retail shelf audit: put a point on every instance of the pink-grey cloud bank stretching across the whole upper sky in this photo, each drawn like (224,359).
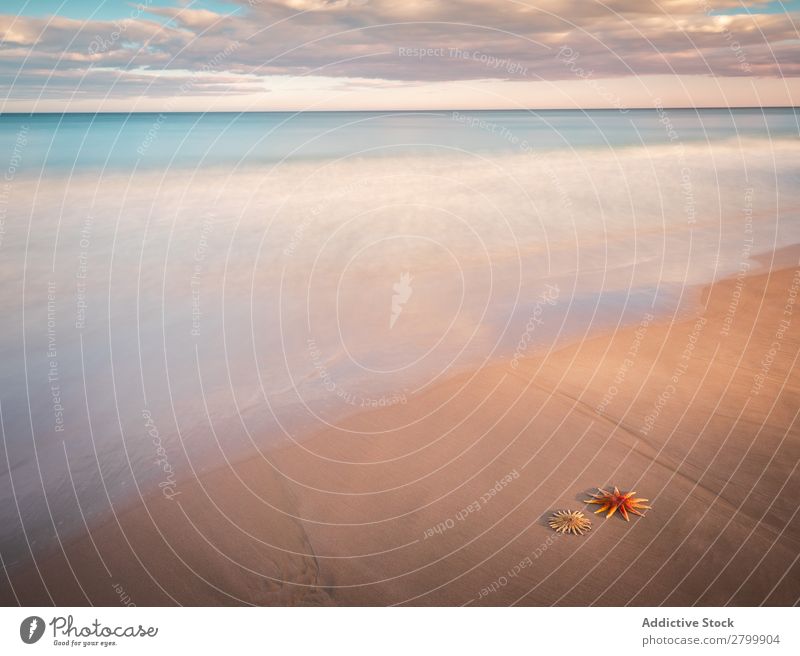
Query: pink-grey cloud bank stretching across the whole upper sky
(391,41)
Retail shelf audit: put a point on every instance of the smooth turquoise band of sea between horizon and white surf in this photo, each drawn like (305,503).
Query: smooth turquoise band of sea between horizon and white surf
(122,141)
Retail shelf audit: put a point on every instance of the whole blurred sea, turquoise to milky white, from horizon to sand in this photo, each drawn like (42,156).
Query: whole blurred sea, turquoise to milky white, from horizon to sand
(180,291)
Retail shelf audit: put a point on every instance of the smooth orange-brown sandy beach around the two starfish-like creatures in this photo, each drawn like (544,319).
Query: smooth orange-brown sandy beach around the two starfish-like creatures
(444,500)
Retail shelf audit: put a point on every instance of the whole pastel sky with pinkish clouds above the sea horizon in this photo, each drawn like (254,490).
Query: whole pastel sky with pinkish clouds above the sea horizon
(252,55)
